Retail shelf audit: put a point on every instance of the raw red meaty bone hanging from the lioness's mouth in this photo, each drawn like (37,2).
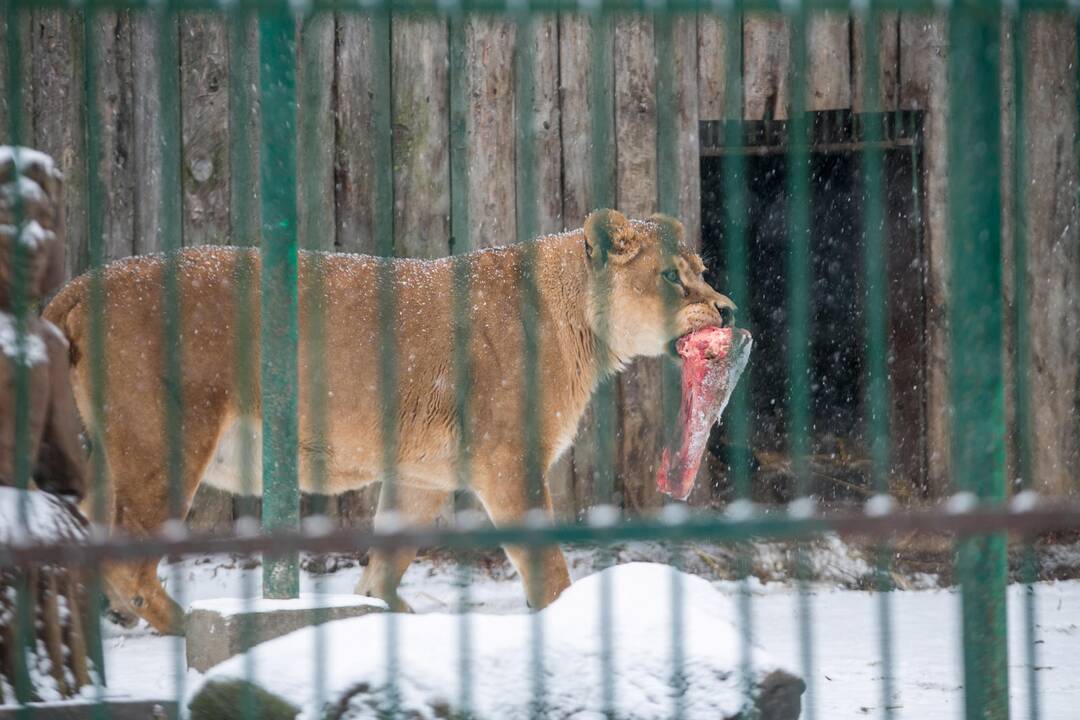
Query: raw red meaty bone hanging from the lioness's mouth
(713,359)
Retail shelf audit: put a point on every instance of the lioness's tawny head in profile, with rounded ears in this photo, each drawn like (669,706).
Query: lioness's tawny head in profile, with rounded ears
(656,291)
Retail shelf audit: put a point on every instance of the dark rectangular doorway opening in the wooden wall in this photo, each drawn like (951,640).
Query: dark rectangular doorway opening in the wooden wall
(840,466)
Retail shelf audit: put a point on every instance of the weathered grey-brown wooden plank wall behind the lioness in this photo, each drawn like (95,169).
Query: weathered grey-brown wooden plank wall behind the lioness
(336,81)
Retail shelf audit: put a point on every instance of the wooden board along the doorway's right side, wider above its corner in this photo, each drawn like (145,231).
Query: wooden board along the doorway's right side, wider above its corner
(924,87)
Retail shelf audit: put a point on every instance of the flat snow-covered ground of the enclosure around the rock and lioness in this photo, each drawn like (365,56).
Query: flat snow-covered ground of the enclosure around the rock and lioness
(847,669)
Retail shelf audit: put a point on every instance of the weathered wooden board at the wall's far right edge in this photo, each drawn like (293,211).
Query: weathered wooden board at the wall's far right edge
(1051,232)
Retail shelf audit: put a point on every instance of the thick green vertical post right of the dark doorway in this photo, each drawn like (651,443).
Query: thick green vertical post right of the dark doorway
(977,374)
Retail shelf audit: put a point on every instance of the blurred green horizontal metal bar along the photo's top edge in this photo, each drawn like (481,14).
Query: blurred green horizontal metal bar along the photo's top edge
(517,7)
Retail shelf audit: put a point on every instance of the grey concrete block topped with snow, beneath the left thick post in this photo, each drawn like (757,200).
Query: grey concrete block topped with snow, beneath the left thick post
(219,630)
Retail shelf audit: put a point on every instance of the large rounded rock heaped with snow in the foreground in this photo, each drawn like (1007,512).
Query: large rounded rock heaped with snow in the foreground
(429,684)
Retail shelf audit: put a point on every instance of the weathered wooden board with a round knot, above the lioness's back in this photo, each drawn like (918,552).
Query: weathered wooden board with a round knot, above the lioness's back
(205,103)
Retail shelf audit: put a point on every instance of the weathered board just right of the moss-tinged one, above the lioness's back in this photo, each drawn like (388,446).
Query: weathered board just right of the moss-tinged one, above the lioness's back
(491,131)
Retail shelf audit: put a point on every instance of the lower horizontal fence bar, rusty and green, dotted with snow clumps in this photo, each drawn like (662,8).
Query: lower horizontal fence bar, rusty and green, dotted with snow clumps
(175,541)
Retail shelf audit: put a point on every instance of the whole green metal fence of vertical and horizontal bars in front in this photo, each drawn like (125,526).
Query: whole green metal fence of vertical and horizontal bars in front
(978,317)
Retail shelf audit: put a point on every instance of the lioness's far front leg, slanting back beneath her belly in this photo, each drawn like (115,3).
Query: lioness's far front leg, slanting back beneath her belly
(385,570)
